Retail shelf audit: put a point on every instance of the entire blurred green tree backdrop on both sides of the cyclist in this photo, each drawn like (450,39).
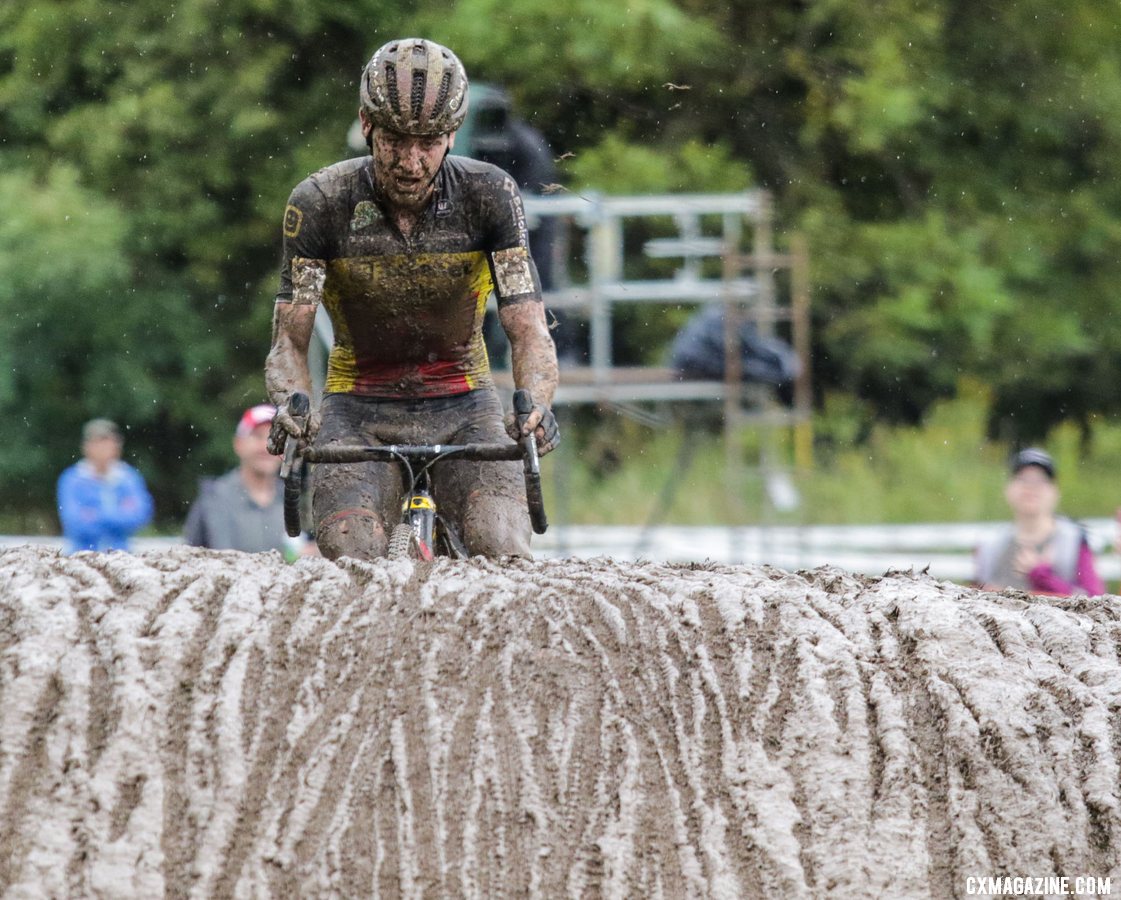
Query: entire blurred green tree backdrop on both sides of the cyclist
(951,164)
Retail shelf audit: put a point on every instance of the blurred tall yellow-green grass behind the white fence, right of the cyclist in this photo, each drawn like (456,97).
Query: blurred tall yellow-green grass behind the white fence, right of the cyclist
(619,472)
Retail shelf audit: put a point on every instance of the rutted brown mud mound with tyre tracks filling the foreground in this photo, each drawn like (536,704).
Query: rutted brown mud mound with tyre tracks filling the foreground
(205,725)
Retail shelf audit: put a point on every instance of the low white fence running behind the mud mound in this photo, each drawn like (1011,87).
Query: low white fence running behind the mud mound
(947,551)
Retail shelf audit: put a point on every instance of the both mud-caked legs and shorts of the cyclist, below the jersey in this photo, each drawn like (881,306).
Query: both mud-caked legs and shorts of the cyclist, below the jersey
(356,506)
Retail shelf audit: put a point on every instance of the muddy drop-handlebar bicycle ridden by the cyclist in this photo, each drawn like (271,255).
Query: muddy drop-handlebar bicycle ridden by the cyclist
(422,534)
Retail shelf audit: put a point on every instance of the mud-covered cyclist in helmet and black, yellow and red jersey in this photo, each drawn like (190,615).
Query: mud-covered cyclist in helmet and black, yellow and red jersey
(403,248)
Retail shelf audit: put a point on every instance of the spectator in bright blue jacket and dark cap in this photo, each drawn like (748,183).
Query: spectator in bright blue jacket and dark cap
(103,502)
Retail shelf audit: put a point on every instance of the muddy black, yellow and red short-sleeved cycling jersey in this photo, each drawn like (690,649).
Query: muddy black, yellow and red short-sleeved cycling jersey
(407,311)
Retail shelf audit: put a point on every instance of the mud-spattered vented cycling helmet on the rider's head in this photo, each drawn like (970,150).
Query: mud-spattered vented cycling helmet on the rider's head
(415,87)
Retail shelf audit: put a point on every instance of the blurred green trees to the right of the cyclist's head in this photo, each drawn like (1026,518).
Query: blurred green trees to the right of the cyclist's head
(948,162)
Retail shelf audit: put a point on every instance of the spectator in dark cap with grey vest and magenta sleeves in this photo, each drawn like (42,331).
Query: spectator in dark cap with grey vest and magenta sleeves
(1040,552)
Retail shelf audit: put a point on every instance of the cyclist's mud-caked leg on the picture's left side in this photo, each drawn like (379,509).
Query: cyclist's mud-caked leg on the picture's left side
(355,506)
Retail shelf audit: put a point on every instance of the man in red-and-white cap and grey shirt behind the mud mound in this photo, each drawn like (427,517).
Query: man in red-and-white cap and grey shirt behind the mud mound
(244,509)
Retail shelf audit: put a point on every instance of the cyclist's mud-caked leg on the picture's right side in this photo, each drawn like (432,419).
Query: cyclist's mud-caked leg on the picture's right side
(487,502)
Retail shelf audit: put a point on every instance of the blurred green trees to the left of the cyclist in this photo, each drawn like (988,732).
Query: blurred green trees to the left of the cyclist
(171,137)
